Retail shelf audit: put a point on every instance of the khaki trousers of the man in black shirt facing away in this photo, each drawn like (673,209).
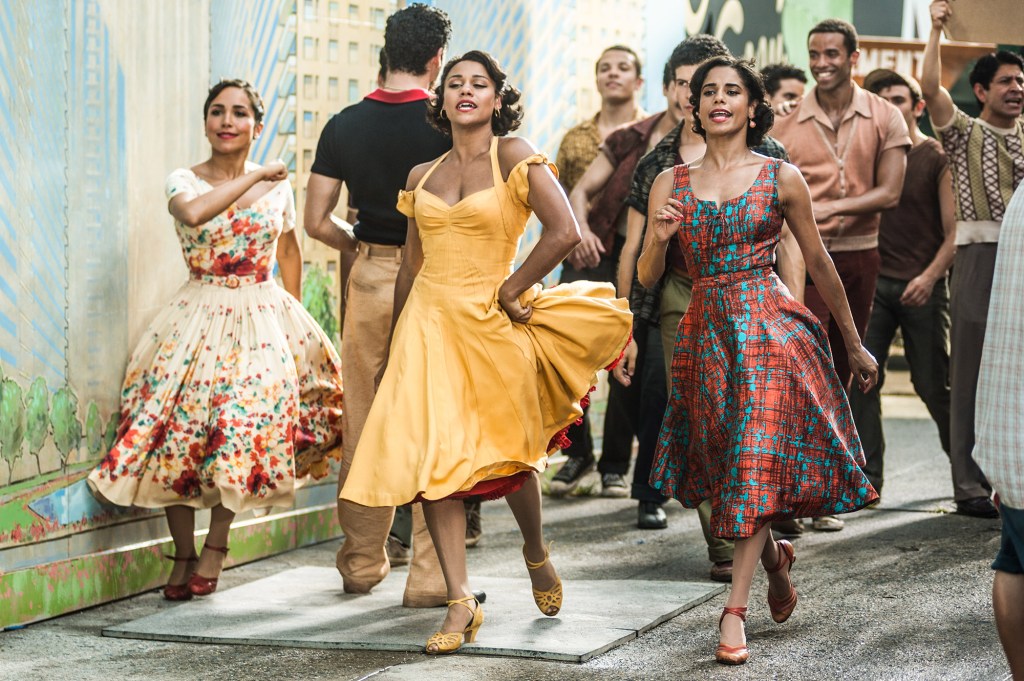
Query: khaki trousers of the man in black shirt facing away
(362,559)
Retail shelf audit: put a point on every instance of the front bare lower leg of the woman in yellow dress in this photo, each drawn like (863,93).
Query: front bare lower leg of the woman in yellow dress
(447,523)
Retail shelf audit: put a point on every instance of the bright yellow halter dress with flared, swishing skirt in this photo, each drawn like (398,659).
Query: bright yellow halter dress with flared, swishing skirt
(470,396)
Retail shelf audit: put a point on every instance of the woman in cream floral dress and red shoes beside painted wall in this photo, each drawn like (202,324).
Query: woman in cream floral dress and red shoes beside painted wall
(234,394)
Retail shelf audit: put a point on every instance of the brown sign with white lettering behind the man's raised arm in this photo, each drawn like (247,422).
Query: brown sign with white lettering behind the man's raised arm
(908,57)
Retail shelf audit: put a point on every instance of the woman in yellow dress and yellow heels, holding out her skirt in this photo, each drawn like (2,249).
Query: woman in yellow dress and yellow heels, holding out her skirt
(486,370)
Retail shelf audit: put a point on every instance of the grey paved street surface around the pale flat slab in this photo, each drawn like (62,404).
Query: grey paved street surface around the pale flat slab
(903,593)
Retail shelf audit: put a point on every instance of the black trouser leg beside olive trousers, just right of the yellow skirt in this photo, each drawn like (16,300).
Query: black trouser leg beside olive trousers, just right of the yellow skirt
(649,378)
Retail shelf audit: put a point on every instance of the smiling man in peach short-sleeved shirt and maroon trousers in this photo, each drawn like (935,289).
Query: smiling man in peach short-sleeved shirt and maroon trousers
(851,147)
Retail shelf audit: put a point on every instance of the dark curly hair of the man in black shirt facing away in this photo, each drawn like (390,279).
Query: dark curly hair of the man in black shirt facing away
(413,36)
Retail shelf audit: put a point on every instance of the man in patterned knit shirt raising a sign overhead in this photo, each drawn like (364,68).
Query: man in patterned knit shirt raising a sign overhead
(987,157)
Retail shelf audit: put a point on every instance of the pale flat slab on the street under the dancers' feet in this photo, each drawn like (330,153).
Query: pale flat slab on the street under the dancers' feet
(306,608)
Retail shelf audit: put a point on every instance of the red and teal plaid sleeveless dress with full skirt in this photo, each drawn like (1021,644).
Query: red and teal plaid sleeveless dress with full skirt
(757,420)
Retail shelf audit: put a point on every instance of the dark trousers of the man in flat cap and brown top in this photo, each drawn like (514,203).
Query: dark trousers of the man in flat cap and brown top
(926,344)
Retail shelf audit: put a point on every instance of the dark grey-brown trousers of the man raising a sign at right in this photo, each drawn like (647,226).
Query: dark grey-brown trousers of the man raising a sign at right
(970,289)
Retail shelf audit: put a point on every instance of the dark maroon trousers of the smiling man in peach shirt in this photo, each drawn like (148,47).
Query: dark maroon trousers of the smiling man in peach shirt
(859,271)
